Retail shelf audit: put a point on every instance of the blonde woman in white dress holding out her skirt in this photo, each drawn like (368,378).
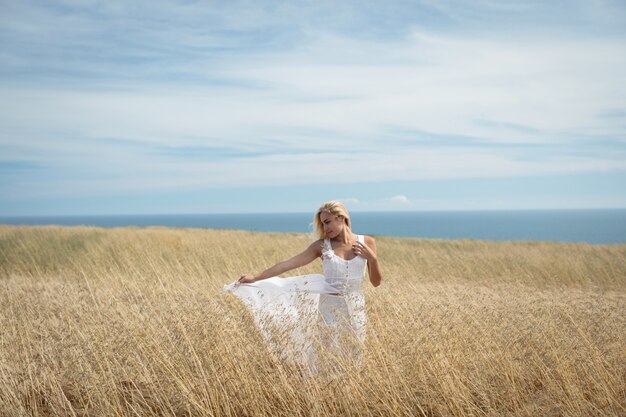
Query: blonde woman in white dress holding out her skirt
(299,314)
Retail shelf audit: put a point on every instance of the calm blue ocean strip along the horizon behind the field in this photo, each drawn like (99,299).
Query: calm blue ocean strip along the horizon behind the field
(597,226)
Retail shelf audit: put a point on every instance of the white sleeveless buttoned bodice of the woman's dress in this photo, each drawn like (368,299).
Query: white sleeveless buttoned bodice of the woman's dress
(345,275)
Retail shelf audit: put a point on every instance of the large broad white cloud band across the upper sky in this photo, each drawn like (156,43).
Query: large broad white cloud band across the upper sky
(442,84)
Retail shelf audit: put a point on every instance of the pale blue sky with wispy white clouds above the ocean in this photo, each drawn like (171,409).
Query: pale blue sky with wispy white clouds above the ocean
(155,107)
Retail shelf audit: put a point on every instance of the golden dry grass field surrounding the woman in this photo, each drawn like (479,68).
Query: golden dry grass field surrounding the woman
(131,322)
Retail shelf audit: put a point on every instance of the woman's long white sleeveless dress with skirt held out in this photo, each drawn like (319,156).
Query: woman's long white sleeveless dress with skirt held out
(309,319)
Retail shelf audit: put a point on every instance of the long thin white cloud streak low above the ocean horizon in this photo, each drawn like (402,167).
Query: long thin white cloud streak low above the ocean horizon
(120,171)
